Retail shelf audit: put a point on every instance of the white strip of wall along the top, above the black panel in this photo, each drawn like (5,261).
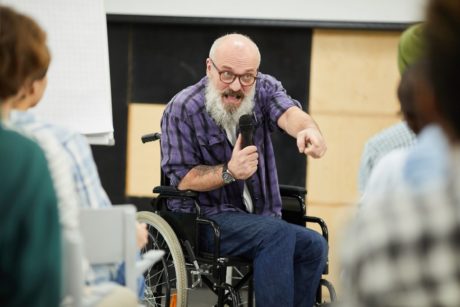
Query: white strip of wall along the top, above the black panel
(397,11)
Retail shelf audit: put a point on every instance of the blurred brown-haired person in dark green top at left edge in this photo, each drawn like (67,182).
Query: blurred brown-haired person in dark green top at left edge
(30,239)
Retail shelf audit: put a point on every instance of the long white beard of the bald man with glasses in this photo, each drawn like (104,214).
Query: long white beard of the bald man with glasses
(227,119)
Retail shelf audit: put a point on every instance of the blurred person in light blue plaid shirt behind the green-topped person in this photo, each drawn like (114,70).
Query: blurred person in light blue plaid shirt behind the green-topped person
(73,171)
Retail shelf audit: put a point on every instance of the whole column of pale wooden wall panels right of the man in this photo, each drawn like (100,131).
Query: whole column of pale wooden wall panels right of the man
(352,96)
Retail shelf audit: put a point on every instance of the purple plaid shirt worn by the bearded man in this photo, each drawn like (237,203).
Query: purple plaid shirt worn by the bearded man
(190,137)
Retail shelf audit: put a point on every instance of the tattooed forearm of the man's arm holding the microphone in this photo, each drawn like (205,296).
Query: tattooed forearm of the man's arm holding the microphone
(202,178)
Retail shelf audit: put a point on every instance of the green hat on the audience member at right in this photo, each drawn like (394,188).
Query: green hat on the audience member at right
(411,47)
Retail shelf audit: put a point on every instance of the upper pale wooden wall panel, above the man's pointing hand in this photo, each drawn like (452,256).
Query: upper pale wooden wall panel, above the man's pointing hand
(354,71)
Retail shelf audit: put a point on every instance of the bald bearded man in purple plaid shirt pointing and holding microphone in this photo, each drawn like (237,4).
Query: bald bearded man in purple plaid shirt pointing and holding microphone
(238,187)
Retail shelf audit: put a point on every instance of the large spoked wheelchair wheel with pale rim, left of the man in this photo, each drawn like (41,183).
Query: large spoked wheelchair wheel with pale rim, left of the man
(166,281)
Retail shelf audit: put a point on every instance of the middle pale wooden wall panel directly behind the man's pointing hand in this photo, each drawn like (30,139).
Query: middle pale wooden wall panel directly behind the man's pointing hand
(333,178)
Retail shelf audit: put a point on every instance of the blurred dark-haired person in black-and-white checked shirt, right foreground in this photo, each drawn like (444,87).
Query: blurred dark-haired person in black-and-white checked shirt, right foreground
(404,250)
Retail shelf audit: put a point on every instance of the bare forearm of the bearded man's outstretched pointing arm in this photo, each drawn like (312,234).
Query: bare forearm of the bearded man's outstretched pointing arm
(295,120)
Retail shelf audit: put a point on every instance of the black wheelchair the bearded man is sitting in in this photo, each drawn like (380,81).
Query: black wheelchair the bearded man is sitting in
(185,267)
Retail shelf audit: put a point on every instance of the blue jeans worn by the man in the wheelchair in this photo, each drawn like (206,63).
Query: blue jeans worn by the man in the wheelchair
(288,259)
